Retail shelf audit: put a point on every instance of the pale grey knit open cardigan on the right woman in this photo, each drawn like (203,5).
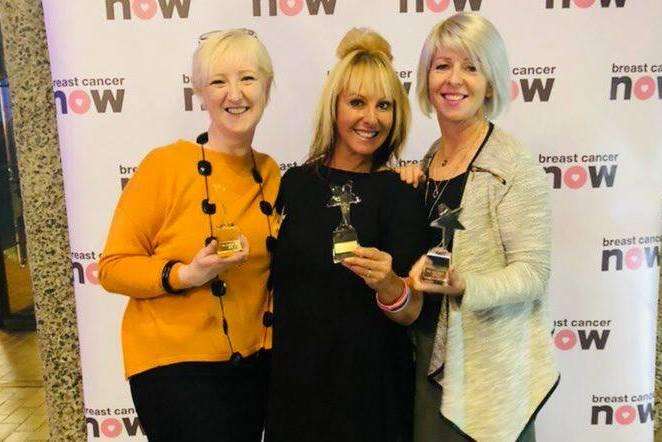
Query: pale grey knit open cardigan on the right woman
(493,352)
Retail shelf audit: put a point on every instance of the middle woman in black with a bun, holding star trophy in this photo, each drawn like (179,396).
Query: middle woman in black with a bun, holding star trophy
(342,370)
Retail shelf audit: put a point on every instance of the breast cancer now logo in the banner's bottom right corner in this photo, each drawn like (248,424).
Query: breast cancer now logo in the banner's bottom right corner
(622,410)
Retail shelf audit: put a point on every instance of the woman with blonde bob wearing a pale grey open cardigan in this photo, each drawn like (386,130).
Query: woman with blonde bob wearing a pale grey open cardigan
(484,347)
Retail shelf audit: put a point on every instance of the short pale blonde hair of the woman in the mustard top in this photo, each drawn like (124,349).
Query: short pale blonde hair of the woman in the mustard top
(230,43)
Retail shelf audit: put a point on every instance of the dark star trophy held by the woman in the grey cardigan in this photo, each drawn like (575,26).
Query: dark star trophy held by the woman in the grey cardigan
(439,258)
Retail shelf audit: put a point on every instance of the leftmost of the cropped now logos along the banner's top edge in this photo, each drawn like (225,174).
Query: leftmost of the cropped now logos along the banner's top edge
(146,9)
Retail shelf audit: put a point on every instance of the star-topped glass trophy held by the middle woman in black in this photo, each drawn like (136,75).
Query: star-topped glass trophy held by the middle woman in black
(345,239)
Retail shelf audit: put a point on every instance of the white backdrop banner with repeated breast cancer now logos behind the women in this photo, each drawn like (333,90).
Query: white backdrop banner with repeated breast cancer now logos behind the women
(587,100)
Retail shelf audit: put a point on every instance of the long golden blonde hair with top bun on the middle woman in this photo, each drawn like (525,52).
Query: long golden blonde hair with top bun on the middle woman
(364,66)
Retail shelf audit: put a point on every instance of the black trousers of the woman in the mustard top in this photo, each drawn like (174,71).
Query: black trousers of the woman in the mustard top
(203,401)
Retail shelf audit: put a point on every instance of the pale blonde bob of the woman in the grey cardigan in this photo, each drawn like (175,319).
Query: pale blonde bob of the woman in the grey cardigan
(478,38)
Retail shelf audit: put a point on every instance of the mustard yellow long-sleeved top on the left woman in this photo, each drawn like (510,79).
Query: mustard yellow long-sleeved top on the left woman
(159,218)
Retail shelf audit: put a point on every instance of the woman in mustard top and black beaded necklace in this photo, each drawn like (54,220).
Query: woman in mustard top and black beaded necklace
(195,333)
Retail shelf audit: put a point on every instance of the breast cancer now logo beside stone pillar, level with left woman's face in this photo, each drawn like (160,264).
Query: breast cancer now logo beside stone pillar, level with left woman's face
(83,95)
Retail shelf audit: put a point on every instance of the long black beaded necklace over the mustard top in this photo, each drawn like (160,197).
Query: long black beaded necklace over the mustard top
(218,286)
